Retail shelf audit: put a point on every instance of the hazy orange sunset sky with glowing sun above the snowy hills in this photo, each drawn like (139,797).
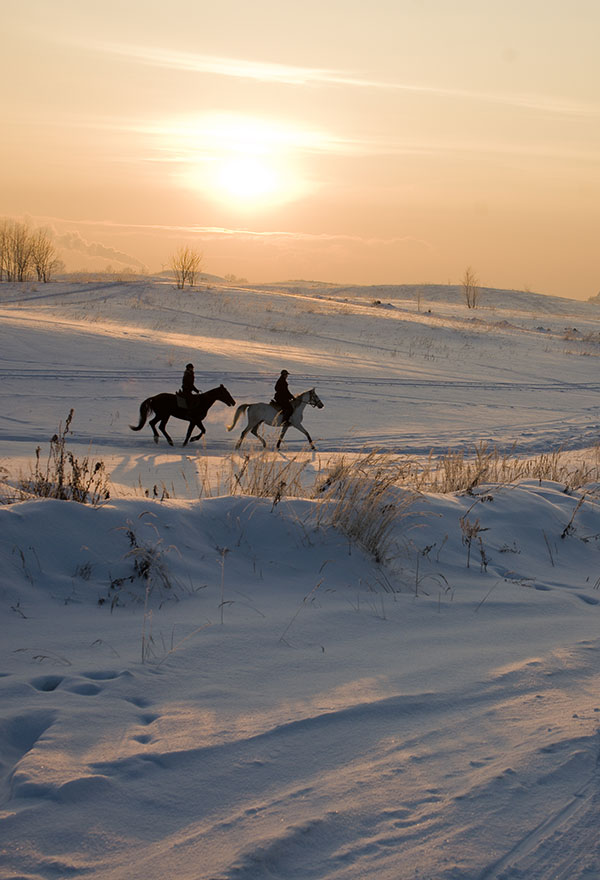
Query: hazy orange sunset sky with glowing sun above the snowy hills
(395,142)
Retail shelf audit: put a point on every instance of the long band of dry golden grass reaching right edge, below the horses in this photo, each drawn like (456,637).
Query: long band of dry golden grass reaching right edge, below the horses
(367,496)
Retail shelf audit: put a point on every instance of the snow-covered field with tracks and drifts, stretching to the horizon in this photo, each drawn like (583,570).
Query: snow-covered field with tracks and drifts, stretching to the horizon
(203,684)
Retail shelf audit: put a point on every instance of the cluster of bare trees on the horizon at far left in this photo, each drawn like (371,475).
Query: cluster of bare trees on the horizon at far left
(26,253)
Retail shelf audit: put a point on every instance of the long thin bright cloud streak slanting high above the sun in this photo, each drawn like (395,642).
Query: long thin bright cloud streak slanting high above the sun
(271,72)
